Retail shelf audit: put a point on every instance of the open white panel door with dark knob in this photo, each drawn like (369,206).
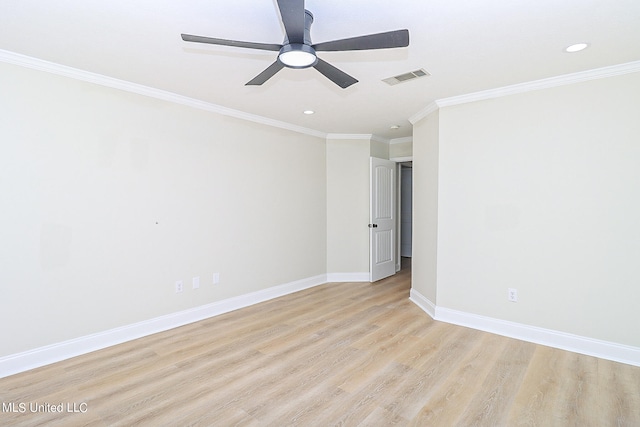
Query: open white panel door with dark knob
(382,221)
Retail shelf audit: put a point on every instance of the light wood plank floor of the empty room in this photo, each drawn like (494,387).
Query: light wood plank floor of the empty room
(338,354)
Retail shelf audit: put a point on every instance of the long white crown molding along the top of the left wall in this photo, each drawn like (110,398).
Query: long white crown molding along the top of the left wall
(99,79)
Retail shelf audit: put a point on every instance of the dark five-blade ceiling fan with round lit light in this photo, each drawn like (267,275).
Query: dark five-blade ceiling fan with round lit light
(297,51)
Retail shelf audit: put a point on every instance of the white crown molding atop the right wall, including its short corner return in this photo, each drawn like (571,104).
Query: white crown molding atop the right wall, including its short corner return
(563,80)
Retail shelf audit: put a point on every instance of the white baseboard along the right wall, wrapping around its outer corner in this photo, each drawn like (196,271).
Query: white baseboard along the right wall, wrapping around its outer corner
(562,340)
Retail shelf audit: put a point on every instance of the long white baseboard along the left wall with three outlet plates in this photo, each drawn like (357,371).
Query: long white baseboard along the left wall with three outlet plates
(31,359)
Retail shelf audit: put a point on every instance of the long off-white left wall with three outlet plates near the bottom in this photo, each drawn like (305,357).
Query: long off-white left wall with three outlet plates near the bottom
(108,197)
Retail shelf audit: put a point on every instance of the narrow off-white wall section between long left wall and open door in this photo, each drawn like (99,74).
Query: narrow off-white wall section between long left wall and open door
(347,205)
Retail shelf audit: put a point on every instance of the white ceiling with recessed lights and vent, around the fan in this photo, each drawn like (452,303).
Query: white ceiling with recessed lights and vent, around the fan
(466,45)
